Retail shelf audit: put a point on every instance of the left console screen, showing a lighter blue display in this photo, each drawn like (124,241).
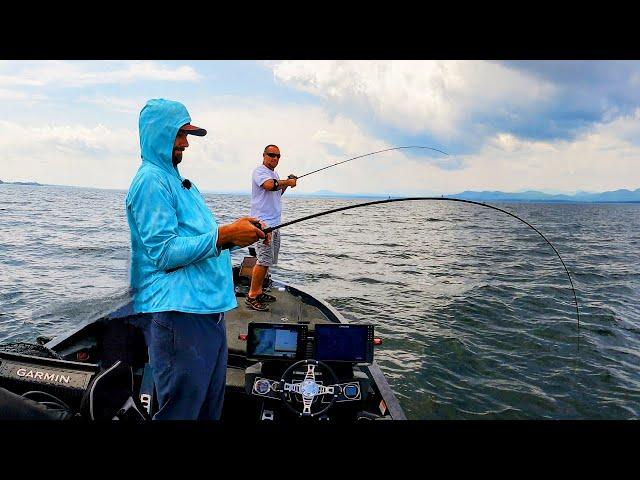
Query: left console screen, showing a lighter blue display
(271,341)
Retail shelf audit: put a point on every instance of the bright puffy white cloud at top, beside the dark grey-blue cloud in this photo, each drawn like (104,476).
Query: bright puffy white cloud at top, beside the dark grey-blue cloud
(437,97)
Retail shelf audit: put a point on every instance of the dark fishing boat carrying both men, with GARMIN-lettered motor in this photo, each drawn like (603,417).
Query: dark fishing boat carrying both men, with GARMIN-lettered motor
(301,361)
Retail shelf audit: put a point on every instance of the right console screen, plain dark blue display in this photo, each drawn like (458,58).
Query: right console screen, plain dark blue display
(345,343)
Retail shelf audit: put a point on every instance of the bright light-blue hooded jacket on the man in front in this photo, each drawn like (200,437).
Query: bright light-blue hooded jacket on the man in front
(172,228)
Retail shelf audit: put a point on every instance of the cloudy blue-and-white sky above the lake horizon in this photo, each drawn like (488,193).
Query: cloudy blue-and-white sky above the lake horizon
(553,126)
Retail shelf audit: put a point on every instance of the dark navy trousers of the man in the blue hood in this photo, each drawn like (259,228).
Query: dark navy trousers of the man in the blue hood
(188,355)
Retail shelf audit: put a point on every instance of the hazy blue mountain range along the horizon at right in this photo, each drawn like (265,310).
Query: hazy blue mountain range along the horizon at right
(622,195)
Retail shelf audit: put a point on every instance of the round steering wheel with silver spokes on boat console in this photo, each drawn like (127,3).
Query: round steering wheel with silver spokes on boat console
(308,388)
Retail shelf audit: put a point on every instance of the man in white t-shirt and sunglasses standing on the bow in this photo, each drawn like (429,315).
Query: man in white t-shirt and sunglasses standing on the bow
(266,204)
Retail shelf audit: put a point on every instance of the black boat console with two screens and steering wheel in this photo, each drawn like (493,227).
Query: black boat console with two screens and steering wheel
(307,371)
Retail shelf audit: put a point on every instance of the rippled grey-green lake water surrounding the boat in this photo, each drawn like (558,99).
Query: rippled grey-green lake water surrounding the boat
(474,308)
